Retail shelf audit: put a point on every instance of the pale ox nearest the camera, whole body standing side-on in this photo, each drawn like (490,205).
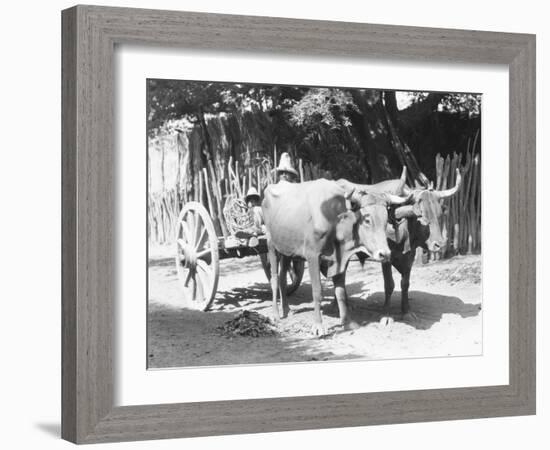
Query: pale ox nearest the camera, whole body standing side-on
(321,223)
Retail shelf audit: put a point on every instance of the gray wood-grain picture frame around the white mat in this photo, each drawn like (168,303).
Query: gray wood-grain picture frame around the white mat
(89,36)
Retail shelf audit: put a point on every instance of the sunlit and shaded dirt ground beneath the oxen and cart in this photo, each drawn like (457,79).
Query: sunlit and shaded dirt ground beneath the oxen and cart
(445,296)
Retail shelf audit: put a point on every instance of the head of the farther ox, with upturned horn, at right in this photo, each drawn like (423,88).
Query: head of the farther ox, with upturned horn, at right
(427,210)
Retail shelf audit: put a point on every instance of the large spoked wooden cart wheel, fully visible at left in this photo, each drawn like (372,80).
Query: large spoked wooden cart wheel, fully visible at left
(197,257)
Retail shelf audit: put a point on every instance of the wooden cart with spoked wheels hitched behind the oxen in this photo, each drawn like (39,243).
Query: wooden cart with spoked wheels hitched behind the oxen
(199,251)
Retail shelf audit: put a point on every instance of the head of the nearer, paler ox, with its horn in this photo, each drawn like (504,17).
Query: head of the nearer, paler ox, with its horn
(366,221)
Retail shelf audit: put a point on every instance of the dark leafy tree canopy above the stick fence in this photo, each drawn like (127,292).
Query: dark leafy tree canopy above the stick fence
(366,134)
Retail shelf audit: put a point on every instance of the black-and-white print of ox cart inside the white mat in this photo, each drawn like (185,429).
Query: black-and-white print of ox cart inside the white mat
(290,223)
